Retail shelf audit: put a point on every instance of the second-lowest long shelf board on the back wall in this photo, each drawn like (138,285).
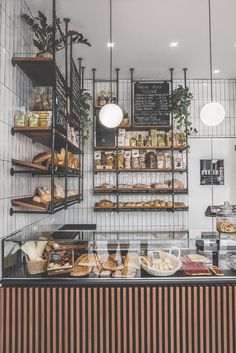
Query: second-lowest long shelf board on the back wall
(140,191)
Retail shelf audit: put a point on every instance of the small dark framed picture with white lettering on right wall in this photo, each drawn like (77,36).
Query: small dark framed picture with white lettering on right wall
(212,172)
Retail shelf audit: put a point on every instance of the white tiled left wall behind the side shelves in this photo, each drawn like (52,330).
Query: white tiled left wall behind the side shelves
(15,90)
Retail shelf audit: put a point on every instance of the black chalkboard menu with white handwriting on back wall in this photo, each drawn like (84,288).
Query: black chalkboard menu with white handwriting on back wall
(151,101)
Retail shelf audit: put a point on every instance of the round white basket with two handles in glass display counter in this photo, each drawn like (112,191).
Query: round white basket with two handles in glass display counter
(161,273)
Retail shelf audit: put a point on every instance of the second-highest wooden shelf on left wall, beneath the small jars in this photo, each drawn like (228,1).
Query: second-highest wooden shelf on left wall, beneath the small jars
(44,136)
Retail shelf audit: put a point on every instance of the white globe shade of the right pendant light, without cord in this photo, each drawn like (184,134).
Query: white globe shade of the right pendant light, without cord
(212,114)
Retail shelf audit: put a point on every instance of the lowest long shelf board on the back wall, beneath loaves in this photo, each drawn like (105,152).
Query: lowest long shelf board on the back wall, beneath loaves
(140,209)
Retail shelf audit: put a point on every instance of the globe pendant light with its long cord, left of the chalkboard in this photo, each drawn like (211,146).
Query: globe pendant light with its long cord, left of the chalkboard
(111,114)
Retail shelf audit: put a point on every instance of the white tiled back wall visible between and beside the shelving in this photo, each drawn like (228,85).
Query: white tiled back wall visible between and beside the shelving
(142,221)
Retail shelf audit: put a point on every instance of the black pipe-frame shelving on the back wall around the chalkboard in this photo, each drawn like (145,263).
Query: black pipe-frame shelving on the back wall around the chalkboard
(116,191)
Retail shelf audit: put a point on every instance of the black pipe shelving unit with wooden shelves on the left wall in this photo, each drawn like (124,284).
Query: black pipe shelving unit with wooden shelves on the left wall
(66,90)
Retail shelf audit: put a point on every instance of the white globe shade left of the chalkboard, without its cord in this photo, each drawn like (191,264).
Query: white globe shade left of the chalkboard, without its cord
(111,115)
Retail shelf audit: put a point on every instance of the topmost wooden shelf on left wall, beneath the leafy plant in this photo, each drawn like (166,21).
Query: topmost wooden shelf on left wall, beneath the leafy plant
(38,69)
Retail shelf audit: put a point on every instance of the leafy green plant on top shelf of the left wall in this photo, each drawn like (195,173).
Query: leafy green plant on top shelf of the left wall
(44,36)
